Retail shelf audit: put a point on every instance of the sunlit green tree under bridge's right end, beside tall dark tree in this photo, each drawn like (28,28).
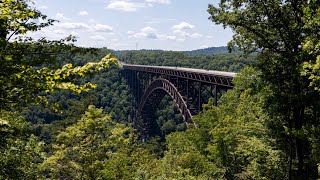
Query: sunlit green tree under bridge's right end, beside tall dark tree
(240,143)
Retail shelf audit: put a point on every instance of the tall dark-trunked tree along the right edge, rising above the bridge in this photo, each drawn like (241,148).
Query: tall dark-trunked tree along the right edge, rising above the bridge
(277,30)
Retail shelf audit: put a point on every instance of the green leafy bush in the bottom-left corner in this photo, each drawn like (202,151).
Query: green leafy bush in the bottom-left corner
(20,152)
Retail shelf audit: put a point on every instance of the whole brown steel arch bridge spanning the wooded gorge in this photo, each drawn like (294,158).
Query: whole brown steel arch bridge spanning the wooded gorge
(188,88)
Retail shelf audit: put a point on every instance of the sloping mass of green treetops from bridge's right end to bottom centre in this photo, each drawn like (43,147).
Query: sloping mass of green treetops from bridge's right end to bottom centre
(232,141)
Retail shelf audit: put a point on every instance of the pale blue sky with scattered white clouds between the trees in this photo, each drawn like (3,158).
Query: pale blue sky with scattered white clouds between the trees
(134,24)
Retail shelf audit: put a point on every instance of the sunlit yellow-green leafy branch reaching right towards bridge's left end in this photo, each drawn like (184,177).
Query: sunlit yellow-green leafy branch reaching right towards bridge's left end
(48,80)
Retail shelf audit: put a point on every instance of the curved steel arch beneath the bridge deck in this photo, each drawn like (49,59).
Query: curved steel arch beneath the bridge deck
(150,101)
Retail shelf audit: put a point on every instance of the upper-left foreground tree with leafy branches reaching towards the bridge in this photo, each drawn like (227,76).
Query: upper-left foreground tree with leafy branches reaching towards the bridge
(28,66)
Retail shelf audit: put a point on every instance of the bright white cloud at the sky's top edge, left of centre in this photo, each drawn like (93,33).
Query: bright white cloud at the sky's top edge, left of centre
(125,6)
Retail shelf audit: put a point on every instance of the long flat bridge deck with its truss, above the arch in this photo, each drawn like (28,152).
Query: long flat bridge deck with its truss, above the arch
(207,76)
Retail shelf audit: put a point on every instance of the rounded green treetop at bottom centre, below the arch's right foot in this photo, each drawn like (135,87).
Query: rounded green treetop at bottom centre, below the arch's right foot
(184,160)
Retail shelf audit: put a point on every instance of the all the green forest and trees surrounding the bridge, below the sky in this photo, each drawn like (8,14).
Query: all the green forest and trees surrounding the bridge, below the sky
(66,112)
